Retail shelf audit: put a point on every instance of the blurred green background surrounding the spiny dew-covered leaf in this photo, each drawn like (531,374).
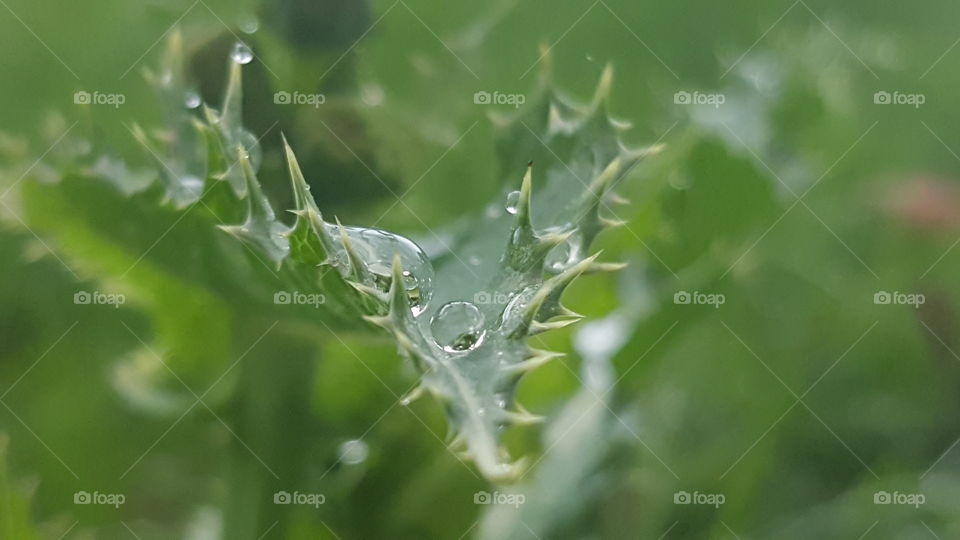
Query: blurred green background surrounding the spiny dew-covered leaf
(801,400)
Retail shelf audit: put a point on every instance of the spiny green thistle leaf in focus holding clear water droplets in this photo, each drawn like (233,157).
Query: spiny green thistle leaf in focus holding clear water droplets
(475,370)
